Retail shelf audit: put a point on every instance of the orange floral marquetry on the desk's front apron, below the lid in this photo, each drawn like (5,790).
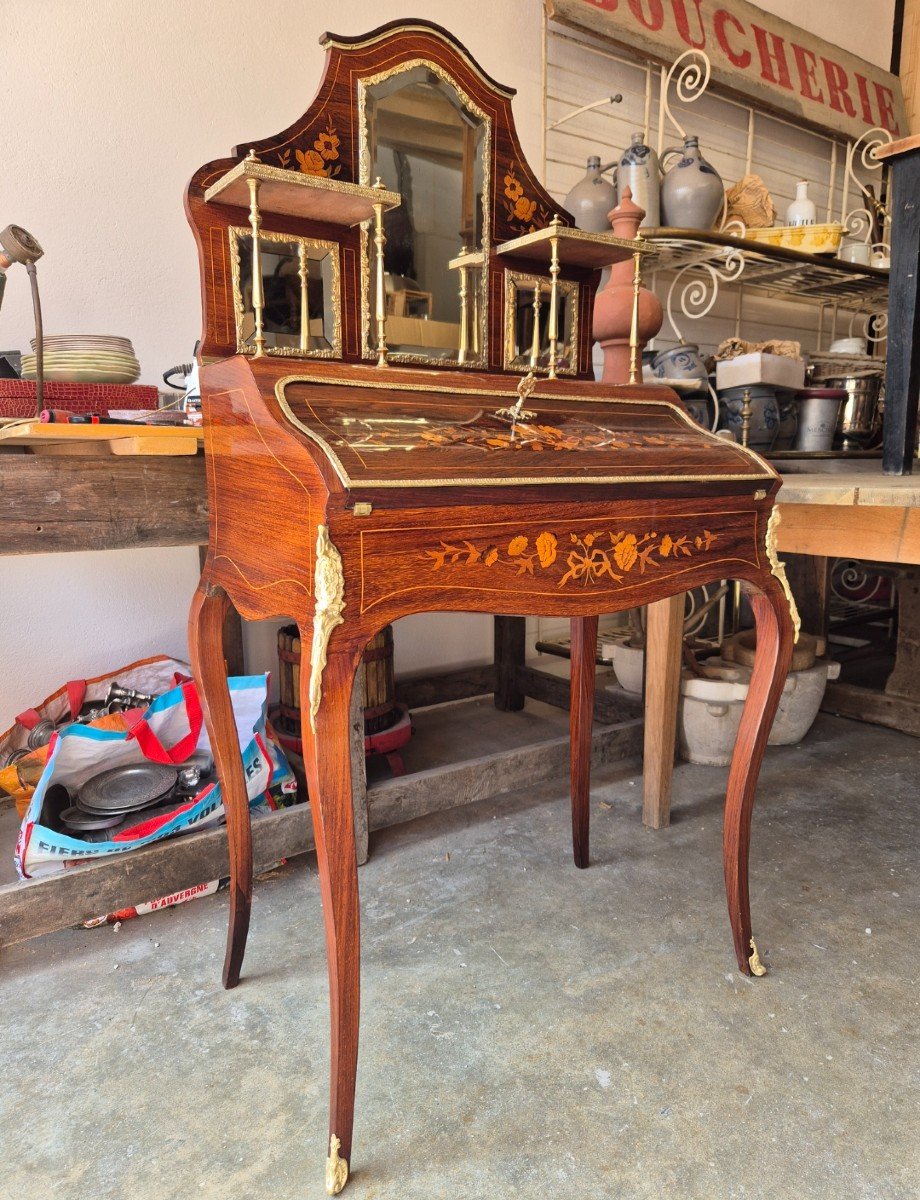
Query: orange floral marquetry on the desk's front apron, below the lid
(592,556)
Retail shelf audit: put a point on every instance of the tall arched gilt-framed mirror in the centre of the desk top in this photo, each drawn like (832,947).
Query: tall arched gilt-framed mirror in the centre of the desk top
(425,139)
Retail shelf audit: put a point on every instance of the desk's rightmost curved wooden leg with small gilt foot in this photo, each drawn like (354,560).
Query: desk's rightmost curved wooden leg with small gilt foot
(772,664)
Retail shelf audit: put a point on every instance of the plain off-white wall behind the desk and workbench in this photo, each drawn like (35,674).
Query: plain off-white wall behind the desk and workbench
(109,106)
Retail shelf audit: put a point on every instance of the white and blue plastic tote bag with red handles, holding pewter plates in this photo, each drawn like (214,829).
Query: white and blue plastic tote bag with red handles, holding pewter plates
(171,730)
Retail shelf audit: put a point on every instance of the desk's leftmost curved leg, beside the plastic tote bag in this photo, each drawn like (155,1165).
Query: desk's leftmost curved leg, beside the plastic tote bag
(207,652)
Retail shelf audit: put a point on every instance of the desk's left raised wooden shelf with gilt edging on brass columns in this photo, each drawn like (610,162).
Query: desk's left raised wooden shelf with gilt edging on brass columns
(294,195)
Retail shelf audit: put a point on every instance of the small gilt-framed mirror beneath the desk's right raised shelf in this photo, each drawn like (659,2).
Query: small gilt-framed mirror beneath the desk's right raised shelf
(527,323)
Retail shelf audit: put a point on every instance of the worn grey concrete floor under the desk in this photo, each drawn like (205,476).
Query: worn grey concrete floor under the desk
(530,1030)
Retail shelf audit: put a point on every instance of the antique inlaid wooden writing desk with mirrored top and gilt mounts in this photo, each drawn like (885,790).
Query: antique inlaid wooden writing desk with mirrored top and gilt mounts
(401,418)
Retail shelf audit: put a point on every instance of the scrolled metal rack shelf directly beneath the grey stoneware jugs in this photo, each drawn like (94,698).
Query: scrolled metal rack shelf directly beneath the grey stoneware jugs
(774,269)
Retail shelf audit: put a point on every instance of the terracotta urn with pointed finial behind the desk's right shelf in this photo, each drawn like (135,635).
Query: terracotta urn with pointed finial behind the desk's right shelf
(614,303)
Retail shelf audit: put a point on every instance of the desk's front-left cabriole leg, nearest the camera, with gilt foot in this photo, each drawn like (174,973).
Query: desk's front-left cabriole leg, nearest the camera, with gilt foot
(328,763)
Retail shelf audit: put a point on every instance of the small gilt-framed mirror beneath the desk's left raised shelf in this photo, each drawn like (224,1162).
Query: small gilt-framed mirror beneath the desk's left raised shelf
(302,295)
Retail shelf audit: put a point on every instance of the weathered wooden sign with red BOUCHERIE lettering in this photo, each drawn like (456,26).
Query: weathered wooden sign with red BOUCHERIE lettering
(771,63)
